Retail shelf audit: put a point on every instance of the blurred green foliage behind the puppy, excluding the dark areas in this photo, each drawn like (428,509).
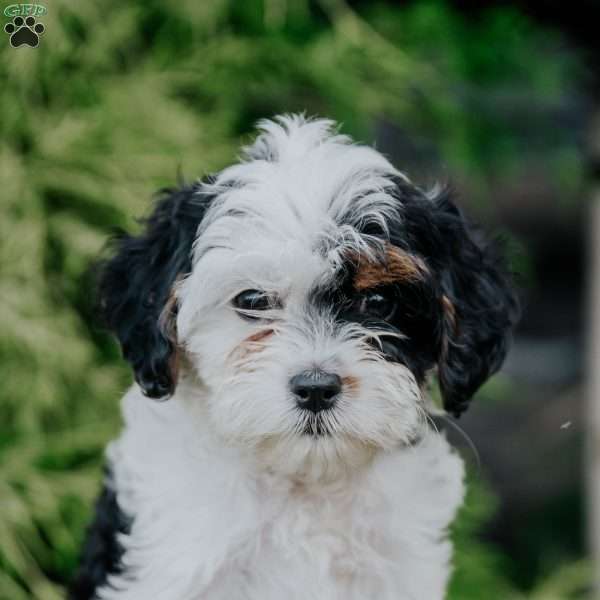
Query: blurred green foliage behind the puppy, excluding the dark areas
(121,96)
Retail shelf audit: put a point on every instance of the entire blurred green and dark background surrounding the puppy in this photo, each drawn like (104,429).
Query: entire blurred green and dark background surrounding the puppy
(123,97)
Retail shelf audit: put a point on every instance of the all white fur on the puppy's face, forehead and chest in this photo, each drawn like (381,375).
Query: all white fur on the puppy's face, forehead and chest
(230,500)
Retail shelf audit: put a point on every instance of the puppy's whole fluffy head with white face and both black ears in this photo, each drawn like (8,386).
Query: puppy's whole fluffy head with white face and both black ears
(312,289)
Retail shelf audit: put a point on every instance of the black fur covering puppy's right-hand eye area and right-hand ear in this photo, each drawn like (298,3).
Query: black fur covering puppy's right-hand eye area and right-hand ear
(457,316)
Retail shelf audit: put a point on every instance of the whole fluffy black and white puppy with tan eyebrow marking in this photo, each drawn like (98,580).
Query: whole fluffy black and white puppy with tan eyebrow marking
(291,309)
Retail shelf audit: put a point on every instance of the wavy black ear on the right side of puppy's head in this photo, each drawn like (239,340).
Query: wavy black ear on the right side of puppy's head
(479,306)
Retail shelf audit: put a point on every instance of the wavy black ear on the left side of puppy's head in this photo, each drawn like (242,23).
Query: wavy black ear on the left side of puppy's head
(135,287)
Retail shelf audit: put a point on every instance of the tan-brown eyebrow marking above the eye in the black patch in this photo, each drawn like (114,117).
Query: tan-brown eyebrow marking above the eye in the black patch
(397,265)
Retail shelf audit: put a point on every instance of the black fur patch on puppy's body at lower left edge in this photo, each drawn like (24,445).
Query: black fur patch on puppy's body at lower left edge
(102,553)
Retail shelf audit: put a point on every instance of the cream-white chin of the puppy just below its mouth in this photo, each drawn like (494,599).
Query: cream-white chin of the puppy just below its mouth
(314,458)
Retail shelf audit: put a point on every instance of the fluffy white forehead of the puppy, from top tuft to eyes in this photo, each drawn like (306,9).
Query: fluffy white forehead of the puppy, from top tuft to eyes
(300,194)
